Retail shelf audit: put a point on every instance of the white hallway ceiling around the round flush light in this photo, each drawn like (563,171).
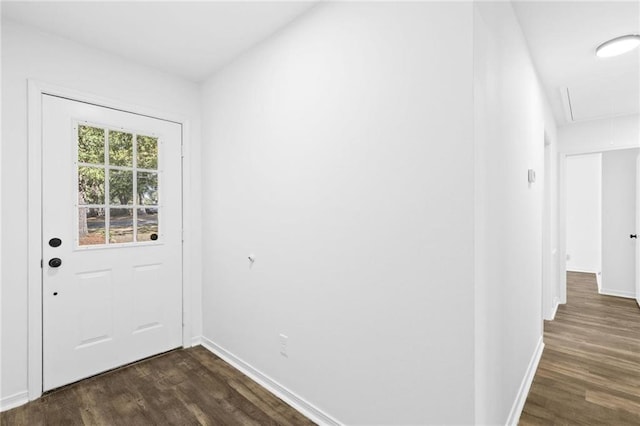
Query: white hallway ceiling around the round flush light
(562,37)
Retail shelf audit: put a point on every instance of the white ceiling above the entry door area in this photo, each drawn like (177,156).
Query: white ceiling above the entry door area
(189,39)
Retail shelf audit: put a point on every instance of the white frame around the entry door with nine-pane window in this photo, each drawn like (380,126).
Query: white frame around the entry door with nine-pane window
(35,91)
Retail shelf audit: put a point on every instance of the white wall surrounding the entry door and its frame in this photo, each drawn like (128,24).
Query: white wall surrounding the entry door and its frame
(27,53)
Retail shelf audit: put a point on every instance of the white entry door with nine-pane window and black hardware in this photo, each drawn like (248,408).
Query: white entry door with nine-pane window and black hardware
(112,239)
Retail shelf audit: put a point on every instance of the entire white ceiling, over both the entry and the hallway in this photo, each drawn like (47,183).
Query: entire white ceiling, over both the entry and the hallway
(194,39)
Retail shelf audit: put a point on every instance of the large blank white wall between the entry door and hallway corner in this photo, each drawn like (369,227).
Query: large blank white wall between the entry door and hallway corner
(340,153)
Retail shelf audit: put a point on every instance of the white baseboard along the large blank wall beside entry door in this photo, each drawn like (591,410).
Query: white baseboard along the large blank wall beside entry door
(300,404)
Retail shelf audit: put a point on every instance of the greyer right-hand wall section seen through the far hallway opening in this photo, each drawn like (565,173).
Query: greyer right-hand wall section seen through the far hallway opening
(618,222)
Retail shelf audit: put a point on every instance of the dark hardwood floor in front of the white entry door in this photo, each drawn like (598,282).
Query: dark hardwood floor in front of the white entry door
(183,387)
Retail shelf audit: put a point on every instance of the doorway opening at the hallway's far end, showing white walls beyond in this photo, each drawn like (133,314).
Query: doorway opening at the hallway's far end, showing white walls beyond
(600,216)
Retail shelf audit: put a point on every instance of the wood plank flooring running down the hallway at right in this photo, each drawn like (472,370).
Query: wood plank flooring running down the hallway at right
(589,373)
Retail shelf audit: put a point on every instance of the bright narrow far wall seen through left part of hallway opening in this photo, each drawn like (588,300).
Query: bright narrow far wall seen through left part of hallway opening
(584,213)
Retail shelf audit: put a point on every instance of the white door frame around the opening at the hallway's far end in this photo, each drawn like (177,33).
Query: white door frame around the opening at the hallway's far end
(562,208)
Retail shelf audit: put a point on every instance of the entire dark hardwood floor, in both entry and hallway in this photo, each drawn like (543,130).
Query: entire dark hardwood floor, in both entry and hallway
(589,374)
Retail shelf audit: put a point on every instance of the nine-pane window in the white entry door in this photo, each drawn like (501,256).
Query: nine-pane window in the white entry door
(117,181)
